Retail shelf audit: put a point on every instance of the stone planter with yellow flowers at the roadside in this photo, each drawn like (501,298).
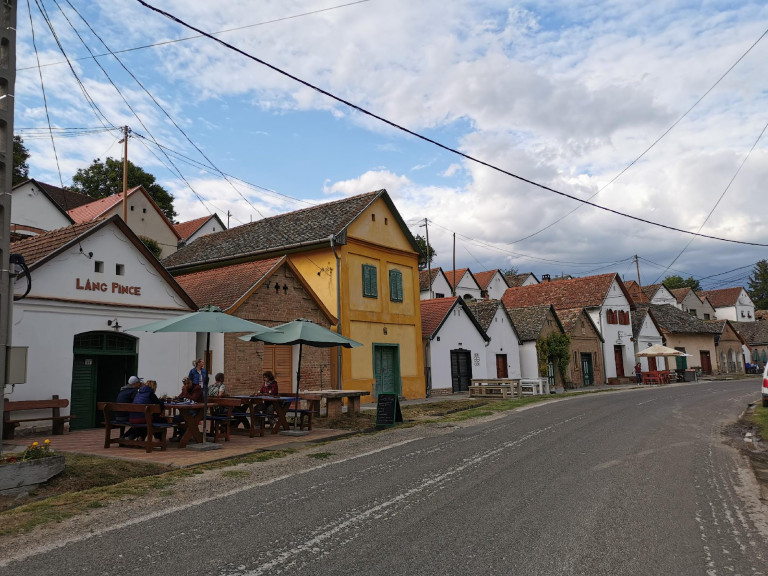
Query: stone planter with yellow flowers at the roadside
(37,464)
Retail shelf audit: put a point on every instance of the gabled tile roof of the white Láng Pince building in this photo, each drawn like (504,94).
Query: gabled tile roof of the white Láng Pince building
(40,249)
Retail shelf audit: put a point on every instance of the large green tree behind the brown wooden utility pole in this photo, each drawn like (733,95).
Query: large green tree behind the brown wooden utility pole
(102,179)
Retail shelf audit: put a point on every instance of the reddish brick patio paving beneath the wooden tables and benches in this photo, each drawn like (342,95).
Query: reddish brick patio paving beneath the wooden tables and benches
(91,442)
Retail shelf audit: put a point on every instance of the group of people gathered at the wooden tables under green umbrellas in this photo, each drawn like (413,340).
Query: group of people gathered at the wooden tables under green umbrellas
(137,391)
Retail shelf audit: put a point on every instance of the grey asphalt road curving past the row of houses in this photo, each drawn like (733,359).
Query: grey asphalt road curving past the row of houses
(637,482)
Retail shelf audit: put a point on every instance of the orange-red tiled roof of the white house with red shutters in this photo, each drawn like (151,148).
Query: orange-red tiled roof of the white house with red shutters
(587,292)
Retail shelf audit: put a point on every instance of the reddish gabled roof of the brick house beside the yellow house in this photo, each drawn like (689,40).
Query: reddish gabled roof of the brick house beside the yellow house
(229,286)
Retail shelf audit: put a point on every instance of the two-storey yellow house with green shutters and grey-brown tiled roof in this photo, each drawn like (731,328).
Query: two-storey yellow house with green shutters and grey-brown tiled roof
(361,260)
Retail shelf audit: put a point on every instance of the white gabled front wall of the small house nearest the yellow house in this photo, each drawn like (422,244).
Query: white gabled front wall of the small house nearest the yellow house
(458,331)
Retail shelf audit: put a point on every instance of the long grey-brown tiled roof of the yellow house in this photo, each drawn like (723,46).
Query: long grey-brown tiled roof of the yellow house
(306,227)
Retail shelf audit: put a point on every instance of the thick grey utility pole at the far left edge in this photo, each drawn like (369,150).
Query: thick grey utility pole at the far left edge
(7,91)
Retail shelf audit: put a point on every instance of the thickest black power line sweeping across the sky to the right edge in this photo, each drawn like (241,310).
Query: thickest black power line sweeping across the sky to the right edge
(430,140)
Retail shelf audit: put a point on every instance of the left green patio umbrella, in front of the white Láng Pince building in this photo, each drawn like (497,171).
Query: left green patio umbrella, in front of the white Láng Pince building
(208,319)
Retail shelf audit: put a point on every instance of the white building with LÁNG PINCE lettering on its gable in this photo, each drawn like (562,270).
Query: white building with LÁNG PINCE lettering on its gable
(89,284)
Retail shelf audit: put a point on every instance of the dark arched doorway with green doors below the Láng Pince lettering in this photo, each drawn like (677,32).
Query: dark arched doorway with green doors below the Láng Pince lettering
(103,362)
